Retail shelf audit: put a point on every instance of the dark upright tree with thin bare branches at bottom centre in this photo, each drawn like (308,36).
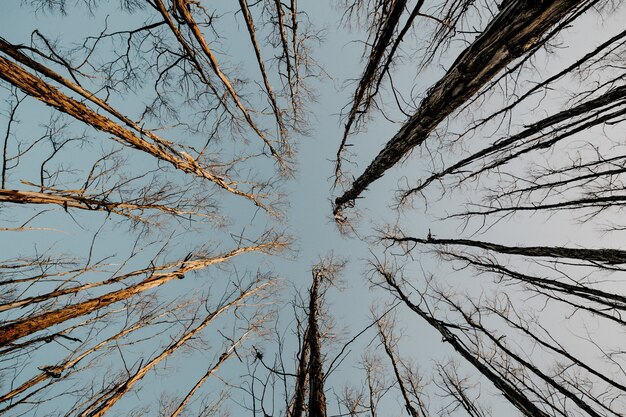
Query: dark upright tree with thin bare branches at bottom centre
(303,388)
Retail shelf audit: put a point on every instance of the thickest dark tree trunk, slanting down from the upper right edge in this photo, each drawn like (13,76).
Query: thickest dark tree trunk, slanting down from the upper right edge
(517,28)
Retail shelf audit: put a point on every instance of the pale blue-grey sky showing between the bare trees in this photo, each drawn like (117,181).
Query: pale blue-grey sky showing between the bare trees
(309,193)
